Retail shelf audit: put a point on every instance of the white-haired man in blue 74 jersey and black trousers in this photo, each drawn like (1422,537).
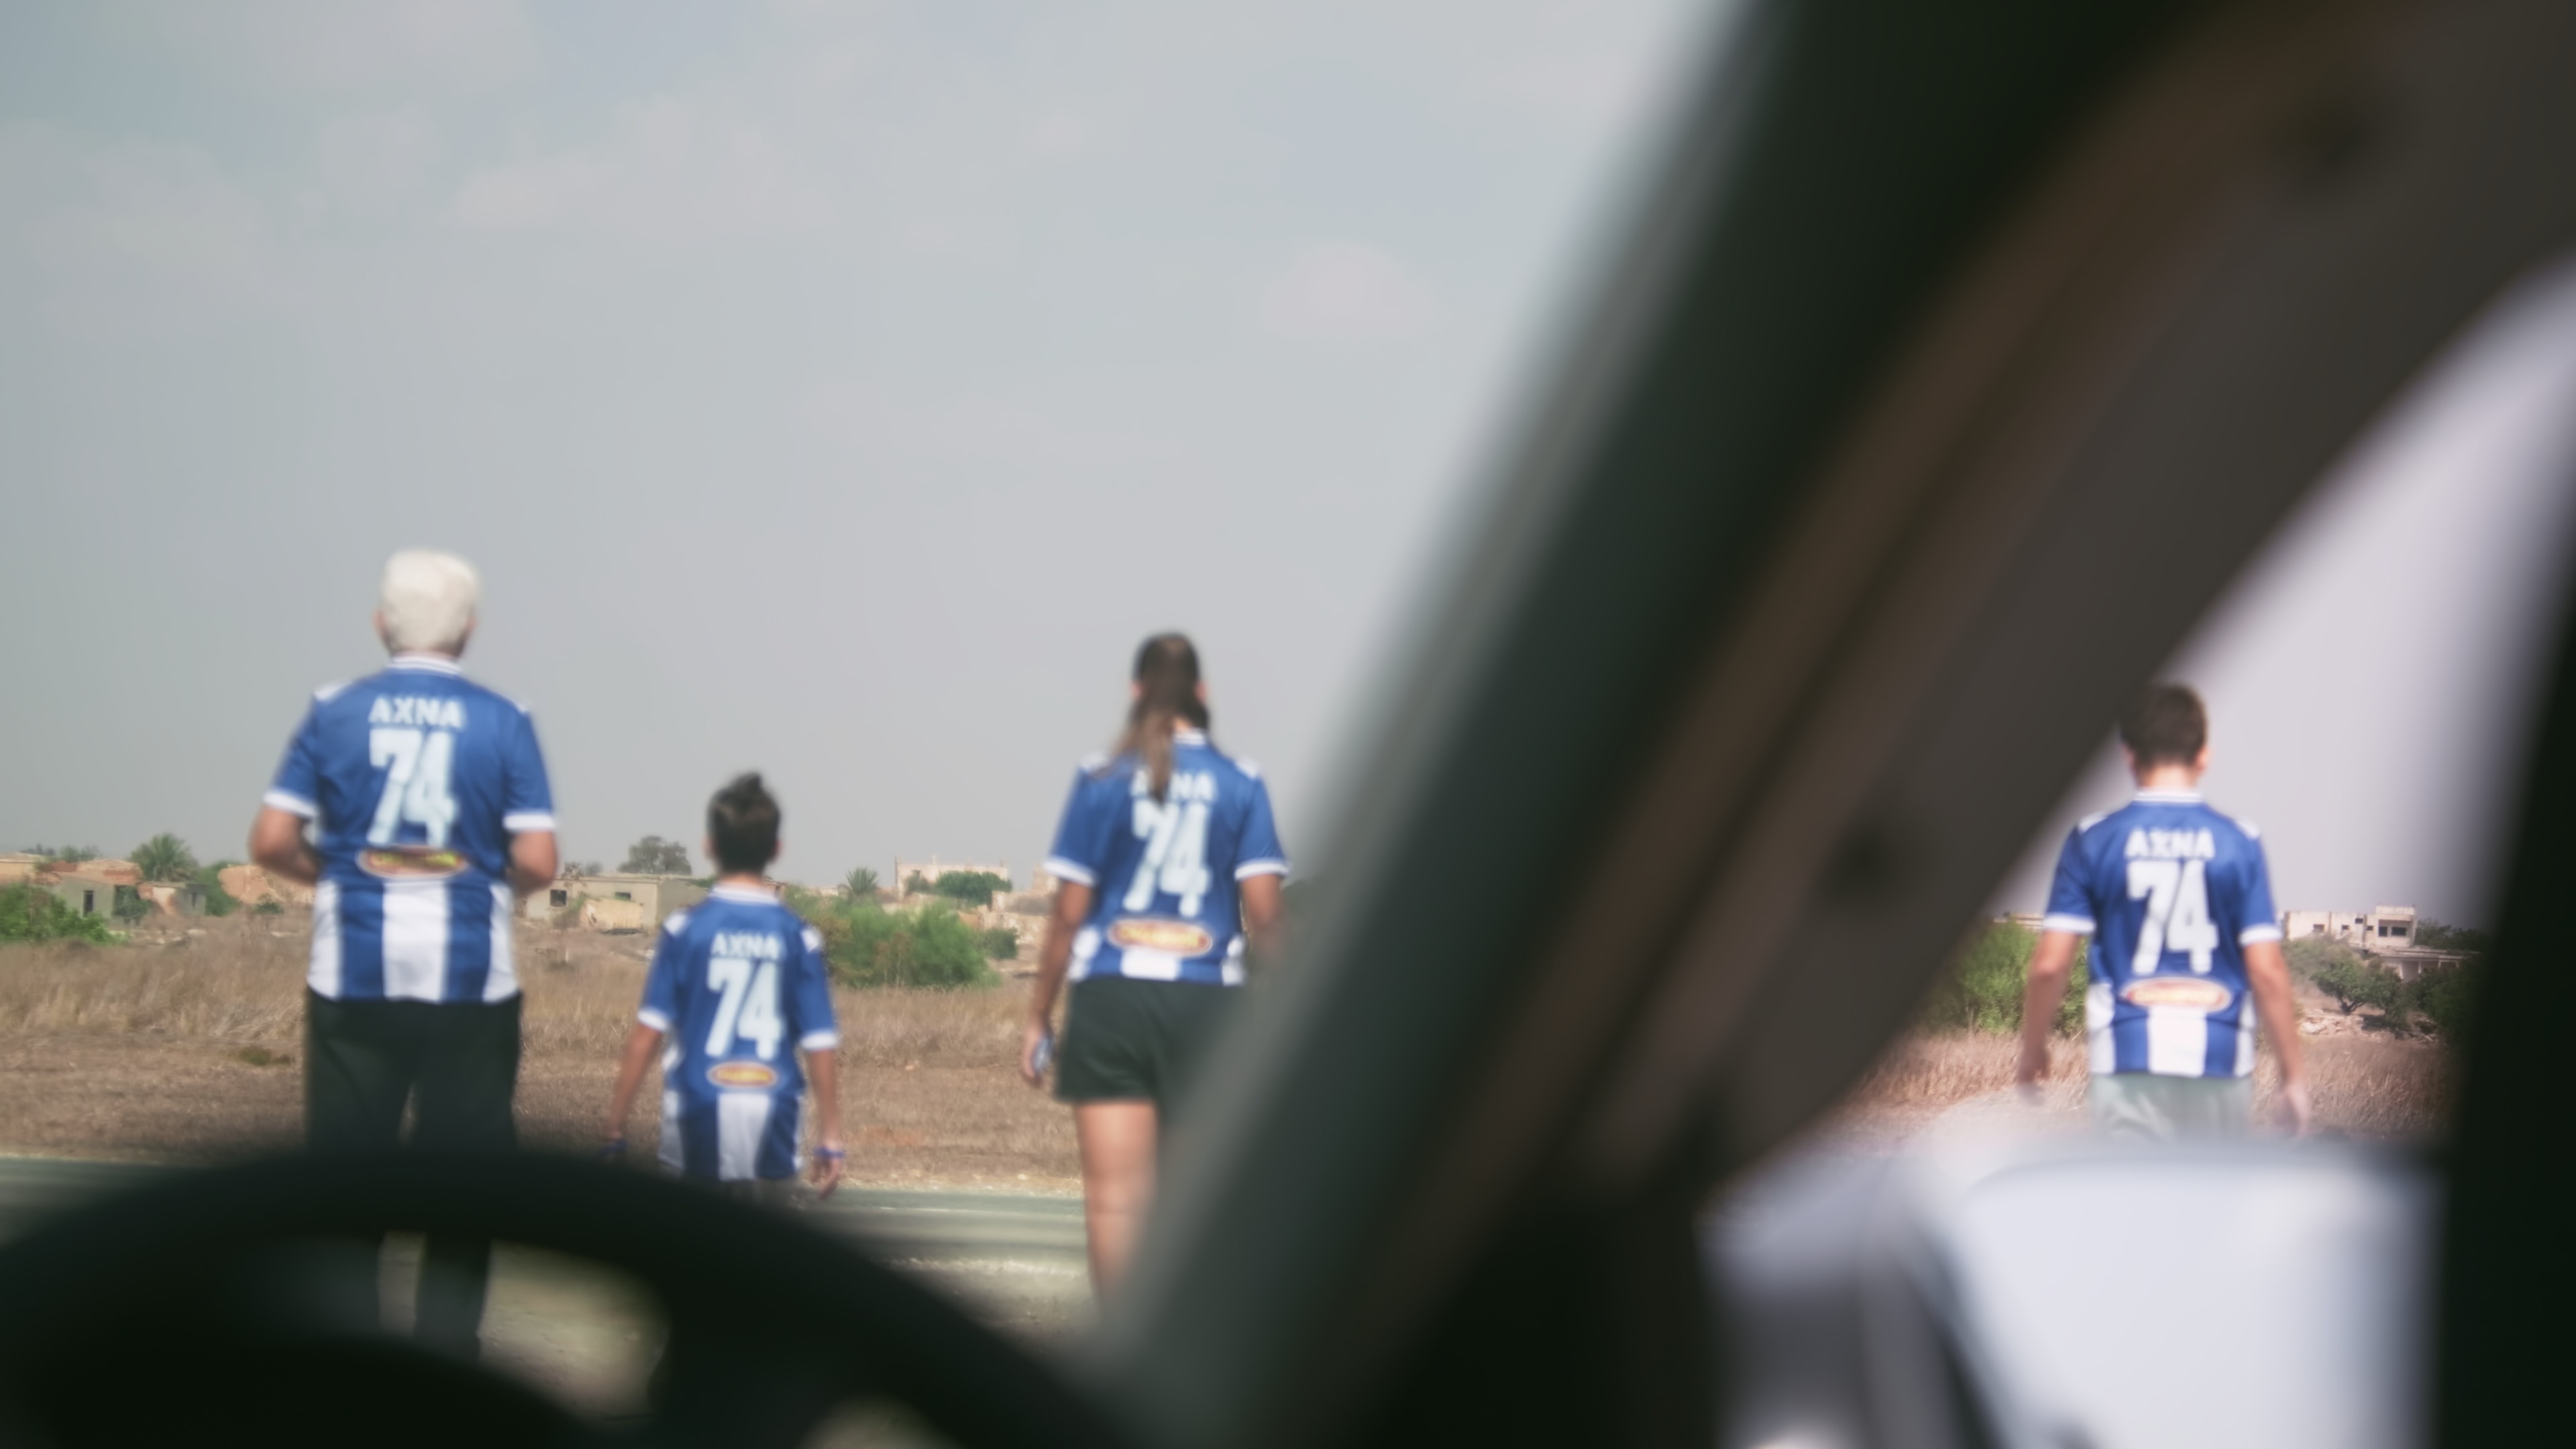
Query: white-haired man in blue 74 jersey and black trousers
(429,813)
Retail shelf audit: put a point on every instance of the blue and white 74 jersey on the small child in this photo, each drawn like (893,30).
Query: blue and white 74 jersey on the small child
(738,986)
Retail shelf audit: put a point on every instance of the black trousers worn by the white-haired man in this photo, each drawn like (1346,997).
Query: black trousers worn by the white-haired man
(457,1069)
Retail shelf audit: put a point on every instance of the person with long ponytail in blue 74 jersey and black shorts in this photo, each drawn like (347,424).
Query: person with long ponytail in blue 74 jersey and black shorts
(1168,862)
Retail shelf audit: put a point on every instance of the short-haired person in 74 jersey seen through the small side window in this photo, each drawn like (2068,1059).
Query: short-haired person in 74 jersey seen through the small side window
(2186,948)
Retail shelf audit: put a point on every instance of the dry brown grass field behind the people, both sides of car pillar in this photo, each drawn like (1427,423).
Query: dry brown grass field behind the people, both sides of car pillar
(192,1051)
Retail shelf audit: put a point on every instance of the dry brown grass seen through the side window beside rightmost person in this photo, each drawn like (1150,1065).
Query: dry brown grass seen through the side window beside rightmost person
(2363,1087)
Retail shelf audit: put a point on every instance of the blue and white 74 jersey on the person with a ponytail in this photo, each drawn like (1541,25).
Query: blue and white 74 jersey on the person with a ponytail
(1166,873)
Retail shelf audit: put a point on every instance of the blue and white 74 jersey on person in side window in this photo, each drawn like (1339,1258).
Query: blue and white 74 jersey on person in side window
(2173,893)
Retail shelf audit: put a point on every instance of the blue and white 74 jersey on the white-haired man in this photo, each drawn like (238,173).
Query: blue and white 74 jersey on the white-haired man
(416,780)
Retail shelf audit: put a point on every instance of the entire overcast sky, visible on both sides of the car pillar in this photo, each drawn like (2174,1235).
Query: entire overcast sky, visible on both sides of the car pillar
(844,391)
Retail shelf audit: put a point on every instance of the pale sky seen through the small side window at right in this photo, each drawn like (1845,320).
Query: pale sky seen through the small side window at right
(2371,679)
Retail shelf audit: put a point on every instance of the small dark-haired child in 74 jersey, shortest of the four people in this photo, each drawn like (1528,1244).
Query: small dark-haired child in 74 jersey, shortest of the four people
(741,989)
